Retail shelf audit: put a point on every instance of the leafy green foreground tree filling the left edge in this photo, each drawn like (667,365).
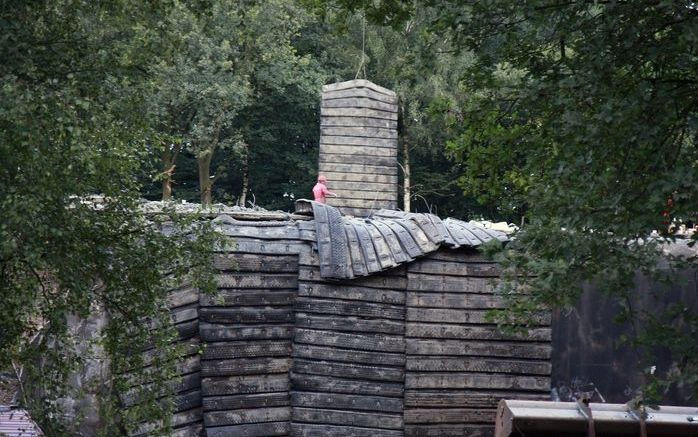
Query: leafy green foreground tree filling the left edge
(71,127)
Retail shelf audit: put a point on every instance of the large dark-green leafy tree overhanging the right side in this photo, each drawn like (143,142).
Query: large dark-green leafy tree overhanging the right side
(582,118)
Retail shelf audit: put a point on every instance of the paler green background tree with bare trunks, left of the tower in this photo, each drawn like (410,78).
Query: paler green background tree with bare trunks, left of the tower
(222,61)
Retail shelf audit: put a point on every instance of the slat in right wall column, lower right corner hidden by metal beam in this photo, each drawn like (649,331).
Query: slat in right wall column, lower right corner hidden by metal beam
(465,398)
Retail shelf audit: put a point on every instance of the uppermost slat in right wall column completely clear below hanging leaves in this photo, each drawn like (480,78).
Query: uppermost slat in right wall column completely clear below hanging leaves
(481,348)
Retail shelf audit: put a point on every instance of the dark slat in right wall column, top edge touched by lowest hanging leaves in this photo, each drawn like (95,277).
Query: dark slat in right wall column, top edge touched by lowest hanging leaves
(471,332)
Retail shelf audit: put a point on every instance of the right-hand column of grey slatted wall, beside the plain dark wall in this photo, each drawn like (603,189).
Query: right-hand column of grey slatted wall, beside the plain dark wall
(458,366)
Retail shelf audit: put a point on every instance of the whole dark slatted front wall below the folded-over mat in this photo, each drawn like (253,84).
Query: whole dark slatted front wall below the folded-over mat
(405,352)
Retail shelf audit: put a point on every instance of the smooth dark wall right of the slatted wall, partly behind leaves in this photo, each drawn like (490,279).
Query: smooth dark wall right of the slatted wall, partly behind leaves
(587,355)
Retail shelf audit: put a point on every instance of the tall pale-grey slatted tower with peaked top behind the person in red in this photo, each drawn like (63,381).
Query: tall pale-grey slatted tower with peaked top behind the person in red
(358,146)
